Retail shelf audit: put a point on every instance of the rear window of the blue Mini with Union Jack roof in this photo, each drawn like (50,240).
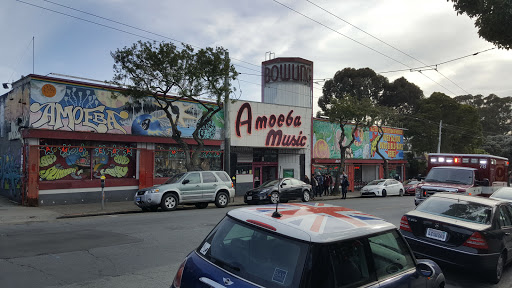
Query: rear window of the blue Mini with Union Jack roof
(255,254)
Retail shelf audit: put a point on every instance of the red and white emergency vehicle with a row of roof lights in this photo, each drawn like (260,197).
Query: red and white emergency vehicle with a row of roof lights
(471,174)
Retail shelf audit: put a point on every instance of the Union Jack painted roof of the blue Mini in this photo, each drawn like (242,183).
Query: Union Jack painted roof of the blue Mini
(315,222)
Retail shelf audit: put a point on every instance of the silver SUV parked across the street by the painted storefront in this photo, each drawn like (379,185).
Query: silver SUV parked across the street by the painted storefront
(191,188)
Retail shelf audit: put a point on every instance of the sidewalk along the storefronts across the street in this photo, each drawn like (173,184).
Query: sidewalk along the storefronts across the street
(12,213)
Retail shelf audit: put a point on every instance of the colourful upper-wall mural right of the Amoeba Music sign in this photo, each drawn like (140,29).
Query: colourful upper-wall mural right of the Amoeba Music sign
(326,136)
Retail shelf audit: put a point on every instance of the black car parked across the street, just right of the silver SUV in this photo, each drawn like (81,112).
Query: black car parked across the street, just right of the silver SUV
(281,190)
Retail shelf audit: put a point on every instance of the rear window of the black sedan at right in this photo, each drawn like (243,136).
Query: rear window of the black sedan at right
(457,209)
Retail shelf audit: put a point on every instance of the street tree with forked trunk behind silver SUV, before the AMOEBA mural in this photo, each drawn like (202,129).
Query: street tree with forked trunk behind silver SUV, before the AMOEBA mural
(151,69)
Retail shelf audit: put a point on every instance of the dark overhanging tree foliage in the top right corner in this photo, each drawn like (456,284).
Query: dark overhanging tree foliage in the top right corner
(493,18)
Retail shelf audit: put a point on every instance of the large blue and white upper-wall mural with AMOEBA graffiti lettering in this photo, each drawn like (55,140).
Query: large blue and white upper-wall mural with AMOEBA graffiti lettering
(79,108)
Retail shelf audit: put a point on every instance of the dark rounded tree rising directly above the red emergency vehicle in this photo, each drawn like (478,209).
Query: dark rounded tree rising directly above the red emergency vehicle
(461,130)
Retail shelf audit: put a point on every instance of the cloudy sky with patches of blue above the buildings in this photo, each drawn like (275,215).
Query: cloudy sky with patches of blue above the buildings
(424,31)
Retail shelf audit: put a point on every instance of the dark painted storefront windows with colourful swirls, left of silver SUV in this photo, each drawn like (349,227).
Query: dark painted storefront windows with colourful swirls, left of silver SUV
(69,162)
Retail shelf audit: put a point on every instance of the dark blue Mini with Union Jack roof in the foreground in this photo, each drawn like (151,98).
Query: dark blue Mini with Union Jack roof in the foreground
(308,245)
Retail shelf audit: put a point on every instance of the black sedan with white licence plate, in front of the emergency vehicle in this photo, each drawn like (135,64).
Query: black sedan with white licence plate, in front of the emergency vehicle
(471,232)
